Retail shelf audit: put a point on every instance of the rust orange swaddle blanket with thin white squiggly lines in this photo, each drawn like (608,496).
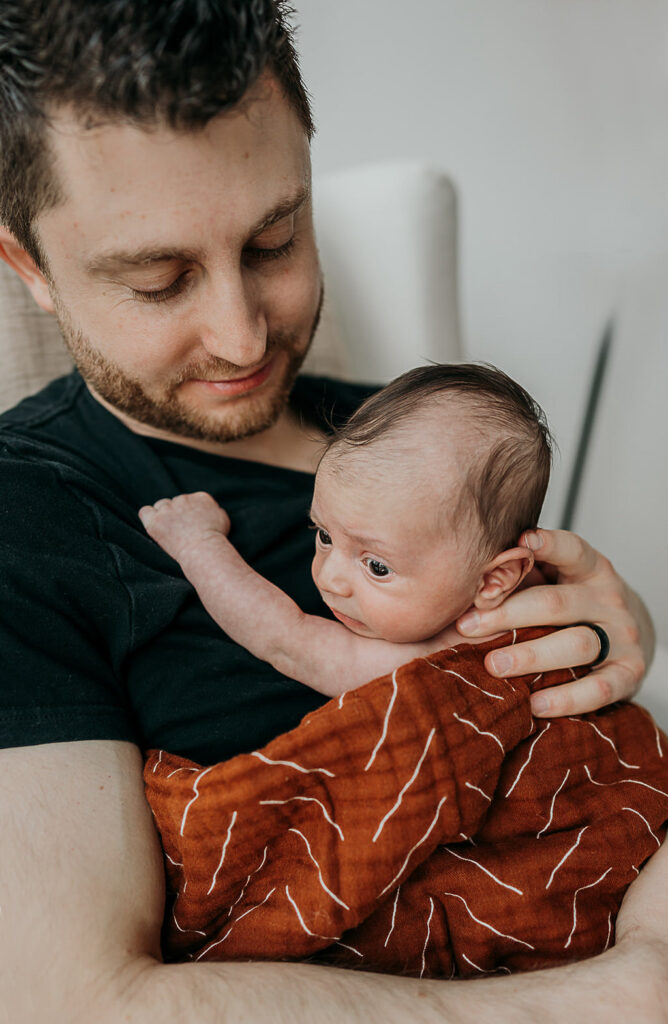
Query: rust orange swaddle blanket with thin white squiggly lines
(425,825)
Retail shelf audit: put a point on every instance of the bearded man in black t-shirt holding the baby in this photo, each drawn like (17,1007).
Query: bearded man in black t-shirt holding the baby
(155,191)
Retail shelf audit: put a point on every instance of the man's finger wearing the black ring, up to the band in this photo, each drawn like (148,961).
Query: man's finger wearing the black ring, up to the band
(578,646)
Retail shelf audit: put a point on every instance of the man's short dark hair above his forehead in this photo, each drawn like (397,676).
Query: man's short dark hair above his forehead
(178,63)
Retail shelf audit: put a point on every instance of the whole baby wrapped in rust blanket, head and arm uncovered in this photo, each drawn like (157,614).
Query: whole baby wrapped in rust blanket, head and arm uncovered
(423,824)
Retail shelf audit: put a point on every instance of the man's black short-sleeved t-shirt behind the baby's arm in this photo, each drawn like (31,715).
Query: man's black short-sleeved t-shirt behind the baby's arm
(101,636)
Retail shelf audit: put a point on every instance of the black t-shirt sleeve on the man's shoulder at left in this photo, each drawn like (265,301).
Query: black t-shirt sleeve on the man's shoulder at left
(64,613)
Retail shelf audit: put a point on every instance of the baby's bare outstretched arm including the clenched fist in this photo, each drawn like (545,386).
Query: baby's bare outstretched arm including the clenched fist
(257,615)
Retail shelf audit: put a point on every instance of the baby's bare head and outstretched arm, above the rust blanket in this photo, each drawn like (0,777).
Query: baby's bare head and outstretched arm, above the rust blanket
(419,503)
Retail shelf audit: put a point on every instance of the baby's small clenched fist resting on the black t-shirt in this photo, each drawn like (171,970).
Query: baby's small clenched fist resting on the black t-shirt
(184,525)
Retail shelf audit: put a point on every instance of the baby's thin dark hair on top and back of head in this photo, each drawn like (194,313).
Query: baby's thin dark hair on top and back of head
(507,483)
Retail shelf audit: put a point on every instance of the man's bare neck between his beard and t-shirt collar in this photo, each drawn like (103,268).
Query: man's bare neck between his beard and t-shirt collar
(287,444)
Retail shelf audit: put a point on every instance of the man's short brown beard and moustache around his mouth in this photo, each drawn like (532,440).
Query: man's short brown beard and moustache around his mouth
(169,412)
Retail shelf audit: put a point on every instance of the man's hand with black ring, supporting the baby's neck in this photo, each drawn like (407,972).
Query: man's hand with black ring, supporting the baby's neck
(584,588)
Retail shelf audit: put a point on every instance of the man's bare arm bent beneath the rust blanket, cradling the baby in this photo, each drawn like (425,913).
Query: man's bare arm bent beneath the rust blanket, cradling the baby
(82,891)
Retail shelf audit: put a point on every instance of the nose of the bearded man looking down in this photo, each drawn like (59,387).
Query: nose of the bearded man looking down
(233,325)
